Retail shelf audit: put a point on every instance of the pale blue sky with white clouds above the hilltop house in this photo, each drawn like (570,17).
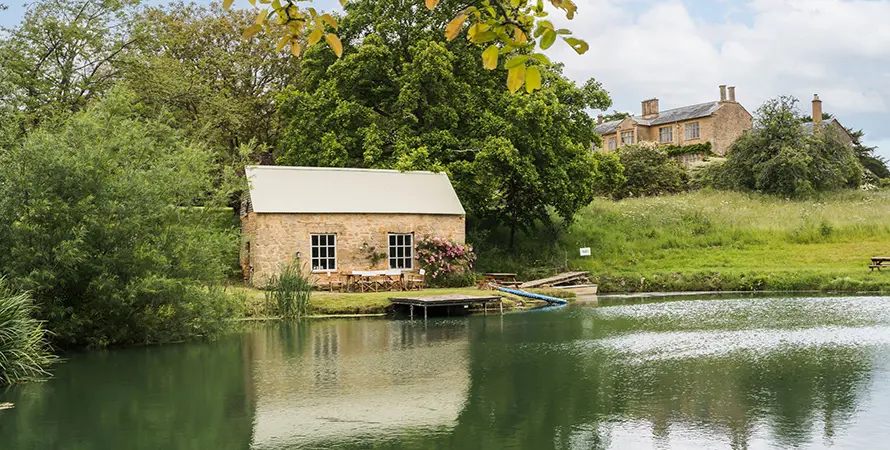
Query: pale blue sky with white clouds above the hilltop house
(680,51)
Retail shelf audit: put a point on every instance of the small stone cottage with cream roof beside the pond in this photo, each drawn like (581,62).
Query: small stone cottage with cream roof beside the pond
(340,220)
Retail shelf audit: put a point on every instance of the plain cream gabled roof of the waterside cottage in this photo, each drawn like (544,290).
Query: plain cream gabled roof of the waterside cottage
(280,189)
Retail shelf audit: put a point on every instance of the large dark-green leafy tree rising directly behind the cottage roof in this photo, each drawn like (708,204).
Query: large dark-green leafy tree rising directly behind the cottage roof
(407,99)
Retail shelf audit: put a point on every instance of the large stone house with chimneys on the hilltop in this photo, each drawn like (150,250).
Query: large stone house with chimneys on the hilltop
(718,122)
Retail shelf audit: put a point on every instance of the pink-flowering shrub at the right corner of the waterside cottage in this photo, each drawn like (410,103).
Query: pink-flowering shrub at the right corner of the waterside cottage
(443,258)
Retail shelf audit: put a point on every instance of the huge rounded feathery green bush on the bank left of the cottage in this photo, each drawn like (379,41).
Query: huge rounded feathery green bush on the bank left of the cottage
(111,221)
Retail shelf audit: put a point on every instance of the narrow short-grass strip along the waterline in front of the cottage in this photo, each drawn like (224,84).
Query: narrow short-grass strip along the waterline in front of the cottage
(336,303)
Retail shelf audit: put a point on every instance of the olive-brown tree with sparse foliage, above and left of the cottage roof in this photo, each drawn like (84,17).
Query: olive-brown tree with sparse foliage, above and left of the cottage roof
(190,61)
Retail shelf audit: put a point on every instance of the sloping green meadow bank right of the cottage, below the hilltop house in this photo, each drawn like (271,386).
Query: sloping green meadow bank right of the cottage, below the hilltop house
(730,241)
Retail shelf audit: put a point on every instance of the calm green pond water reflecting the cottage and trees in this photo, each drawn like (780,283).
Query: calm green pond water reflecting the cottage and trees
(668,374)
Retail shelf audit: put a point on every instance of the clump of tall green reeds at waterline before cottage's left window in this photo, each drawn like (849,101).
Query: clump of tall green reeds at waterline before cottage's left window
(289,292)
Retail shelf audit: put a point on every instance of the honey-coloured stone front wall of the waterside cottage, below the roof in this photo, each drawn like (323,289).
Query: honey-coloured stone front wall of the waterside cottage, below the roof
(273,239)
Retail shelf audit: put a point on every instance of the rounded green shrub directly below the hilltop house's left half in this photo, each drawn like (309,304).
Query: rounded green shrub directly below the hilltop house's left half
(650,171)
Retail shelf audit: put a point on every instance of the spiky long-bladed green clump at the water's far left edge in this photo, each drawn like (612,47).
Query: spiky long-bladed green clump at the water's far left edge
(24,352)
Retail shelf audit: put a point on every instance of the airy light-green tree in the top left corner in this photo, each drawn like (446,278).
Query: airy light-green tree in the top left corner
(62,55)
